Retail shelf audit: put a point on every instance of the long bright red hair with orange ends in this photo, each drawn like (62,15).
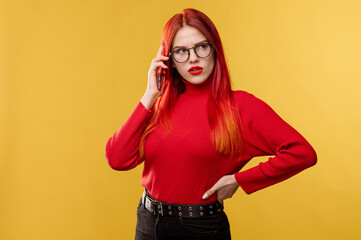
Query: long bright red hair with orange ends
(223,118)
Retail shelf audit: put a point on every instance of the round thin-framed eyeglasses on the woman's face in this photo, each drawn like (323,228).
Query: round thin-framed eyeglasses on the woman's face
(202,50)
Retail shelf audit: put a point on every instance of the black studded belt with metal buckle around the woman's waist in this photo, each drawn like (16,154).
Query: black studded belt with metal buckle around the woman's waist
(182,210)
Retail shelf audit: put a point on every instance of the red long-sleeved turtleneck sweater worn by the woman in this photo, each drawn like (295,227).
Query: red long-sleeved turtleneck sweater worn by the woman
(181,167)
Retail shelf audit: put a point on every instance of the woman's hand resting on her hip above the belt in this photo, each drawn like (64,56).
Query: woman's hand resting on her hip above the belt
(225,187)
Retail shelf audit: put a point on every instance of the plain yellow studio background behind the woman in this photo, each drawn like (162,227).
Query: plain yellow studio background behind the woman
(72,72)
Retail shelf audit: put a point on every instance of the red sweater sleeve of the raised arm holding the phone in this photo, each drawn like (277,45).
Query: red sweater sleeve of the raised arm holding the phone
(122,148)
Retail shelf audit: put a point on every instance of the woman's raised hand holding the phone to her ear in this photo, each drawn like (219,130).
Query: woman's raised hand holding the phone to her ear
(152,74)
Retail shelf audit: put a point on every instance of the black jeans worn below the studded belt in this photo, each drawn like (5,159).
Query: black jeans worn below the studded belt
(156,227)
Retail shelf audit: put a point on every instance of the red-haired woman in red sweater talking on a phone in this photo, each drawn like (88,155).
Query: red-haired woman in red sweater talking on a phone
(196,134)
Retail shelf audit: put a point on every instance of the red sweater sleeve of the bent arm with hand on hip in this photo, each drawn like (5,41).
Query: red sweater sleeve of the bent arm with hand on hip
(268,134)
